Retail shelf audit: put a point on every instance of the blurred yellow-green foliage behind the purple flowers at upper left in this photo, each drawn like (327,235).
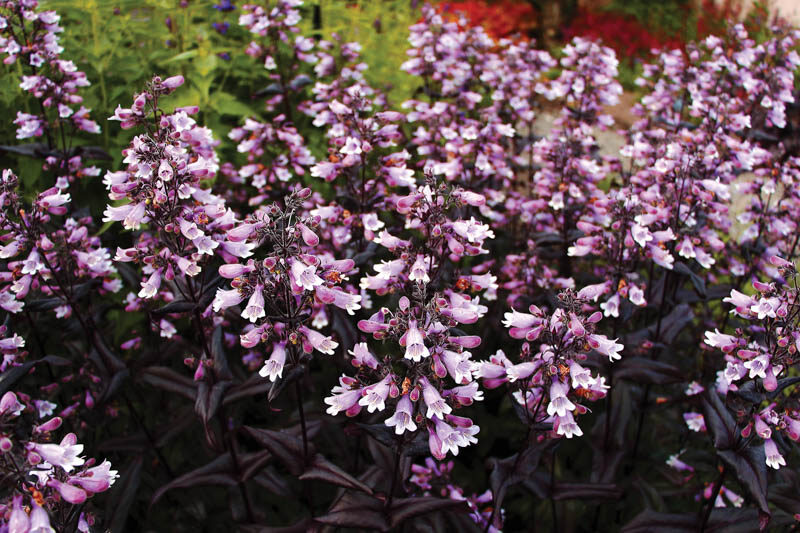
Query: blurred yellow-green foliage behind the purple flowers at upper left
(121,44)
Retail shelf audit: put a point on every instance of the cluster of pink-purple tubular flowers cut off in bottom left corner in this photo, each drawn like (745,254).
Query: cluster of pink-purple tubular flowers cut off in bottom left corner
(45,484)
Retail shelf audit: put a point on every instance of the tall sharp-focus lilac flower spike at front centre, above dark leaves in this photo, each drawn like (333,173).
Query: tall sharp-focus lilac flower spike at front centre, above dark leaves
(430,374)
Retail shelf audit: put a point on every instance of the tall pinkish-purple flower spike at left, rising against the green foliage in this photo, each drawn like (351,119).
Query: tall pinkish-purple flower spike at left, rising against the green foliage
(163,188)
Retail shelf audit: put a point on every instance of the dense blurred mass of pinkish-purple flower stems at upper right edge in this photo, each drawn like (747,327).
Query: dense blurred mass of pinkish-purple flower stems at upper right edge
(698,134)
